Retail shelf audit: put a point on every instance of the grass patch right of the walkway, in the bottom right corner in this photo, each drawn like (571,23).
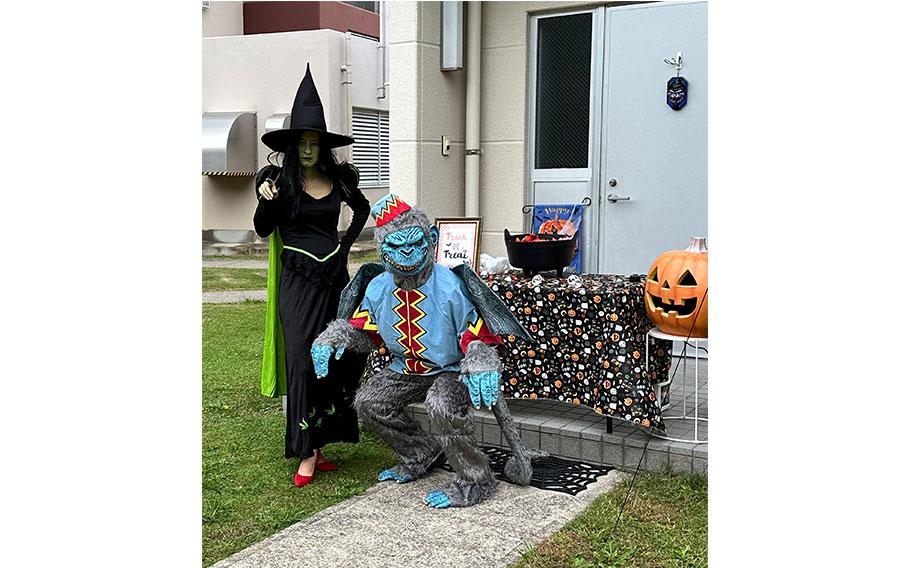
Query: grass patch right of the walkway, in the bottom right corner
(664,524)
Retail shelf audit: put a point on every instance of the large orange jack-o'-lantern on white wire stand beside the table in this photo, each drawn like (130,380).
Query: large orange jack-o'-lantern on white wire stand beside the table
(675,287)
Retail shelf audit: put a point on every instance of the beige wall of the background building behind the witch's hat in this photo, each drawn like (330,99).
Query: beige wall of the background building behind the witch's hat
(261,73)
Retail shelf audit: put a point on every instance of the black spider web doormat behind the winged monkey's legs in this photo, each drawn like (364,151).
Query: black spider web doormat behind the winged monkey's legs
(550,473)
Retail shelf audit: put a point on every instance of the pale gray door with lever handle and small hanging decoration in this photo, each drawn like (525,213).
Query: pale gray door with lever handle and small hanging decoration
(654,156)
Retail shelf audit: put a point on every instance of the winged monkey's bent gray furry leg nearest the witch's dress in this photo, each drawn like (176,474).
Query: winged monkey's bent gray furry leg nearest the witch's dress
(380,404)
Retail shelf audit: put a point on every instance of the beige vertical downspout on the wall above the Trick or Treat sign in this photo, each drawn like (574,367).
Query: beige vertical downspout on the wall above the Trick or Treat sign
(472,114)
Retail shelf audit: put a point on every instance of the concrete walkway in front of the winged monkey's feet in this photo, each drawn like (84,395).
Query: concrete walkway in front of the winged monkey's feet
(388,526)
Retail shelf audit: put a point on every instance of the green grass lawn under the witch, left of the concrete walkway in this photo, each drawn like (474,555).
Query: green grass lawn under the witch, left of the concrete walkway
(247,493)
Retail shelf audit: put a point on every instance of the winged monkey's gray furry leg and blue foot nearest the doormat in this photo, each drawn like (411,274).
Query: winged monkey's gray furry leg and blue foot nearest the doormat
(449,409)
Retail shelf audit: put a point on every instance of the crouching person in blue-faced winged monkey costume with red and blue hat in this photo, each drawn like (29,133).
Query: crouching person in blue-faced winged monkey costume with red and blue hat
(441,326)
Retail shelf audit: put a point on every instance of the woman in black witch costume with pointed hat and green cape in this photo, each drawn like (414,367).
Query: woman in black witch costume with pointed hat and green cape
(307,272)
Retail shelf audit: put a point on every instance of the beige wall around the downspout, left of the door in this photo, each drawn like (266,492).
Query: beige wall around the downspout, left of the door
(429,103)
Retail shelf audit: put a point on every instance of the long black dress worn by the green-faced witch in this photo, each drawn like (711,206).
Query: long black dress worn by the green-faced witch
(319,411)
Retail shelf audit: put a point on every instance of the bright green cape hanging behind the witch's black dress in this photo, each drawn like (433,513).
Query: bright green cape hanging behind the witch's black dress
(274,371)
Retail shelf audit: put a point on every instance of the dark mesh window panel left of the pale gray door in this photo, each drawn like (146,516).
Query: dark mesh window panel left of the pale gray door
(563,91)
